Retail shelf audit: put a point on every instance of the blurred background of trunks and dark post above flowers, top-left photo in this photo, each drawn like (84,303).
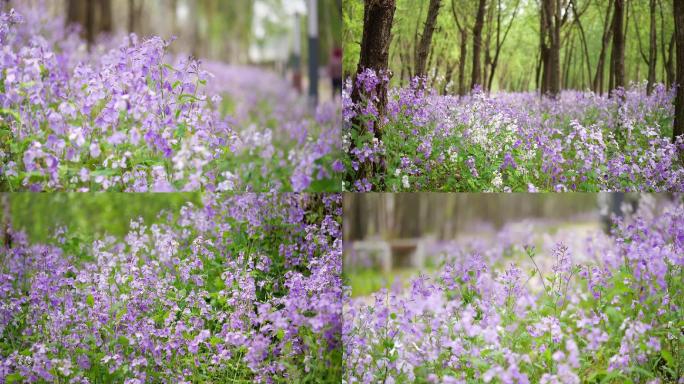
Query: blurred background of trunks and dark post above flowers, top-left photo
(280,35)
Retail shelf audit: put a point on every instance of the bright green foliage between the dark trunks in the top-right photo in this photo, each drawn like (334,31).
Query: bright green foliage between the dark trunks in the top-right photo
(520,52)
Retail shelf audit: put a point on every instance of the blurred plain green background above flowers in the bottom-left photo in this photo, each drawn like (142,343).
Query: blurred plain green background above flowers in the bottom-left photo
(87,215)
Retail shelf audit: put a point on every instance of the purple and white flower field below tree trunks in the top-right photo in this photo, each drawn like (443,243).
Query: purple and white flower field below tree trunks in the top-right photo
(511,141)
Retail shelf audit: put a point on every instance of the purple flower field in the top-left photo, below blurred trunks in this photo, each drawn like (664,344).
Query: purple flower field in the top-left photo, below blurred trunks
(127,116)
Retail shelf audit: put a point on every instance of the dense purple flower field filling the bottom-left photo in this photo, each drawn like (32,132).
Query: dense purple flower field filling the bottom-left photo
(245,288)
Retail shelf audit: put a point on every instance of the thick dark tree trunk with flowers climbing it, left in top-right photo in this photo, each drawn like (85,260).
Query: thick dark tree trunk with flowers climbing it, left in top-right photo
(375,42)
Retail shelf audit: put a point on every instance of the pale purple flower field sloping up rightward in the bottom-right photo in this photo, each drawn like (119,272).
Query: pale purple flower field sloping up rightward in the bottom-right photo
(555,309)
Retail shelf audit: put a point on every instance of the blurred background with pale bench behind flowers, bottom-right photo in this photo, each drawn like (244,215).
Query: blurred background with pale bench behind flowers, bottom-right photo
(390,238)
